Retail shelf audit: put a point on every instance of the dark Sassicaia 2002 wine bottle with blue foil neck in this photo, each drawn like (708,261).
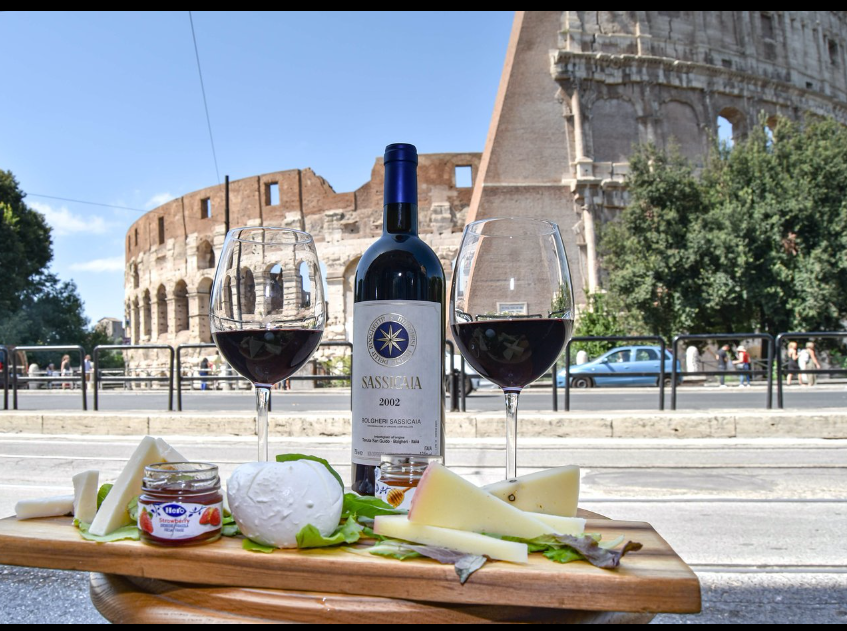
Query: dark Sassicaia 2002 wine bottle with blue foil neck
(398,333)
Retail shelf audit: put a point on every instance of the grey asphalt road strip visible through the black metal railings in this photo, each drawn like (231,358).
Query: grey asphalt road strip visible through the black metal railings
(338,399)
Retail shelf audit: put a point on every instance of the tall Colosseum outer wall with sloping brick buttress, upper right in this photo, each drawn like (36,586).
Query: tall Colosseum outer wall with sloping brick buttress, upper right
(581,88)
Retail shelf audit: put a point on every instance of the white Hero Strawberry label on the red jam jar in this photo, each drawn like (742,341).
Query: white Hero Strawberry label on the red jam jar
(172,520)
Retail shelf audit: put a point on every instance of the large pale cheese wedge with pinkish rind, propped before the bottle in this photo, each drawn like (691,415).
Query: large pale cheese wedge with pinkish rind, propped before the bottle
(445,499)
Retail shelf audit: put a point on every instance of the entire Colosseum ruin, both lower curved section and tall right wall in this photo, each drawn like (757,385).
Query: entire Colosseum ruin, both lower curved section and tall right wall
(578,90)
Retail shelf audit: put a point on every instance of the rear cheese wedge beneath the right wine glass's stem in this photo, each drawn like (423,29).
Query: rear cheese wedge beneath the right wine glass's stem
(553,491)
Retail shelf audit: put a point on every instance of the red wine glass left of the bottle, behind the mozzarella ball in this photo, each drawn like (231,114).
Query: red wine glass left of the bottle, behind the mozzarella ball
(267,309)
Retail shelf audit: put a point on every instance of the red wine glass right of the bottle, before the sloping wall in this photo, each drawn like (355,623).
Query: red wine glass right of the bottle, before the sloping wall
(511,306)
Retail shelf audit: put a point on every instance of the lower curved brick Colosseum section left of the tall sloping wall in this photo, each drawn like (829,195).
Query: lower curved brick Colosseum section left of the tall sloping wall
(171,251)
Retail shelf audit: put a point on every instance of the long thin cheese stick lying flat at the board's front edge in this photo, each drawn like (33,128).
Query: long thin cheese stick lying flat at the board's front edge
(399,527)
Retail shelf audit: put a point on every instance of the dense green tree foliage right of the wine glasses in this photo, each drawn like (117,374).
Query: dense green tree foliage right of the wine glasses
(754,243)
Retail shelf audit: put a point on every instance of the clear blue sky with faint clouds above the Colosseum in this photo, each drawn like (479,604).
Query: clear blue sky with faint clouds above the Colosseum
(107,107)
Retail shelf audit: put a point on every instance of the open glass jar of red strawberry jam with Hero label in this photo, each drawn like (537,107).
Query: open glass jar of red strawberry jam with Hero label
(180,504)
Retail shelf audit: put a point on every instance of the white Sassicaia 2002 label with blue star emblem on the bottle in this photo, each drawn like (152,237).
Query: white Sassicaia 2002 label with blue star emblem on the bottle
(397,380)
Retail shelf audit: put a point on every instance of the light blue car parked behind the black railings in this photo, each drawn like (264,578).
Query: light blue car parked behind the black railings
(621,361)
